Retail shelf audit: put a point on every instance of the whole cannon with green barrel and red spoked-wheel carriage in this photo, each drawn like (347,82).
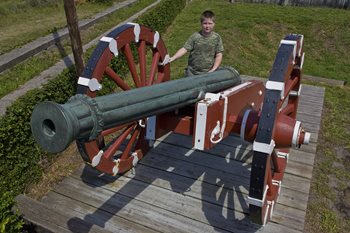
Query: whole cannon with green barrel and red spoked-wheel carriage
(113,132)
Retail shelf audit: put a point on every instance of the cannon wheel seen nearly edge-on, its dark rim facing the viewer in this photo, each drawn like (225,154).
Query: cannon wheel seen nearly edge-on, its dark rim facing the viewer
(281,98)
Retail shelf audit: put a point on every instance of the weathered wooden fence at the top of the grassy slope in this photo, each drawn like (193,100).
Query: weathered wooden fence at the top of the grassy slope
(345,4)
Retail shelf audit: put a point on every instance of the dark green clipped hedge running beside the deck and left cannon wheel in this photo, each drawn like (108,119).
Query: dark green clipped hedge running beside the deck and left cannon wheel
(20,158)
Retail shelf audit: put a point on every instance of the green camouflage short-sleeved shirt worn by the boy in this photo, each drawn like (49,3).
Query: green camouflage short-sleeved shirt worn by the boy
(202,51)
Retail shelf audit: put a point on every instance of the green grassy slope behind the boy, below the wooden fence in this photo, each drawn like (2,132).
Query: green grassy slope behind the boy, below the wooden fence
(249,30)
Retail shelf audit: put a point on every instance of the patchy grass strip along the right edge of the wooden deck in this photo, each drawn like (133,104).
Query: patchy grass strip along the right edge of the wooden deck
(328,205)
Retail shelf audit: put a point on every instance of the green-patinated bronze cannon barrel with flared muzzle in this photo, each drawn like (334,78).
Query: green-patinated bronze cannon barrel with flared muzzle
(55,126)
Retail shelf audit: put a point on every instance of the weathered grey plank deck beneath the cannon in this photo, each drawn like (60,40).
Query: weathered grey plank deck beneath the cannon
(176,189)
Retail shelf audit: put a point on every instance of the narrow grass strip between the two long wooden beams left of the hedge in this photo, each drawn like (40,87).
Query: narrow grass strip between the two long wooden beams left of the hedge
(21,73)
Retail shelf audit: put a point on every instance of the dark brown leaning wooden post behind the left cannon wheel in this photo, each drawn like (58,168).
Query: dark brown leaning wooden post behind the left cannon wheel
(74,33)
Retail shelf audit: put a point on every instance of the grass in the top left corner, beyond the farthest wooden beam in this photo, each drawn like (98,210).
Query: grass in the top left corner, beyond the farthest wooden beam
(43,16)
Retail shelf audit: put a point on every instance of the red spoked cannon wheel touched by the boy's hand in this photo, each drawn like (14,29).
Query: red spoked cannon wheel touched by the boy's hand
(105,150)
